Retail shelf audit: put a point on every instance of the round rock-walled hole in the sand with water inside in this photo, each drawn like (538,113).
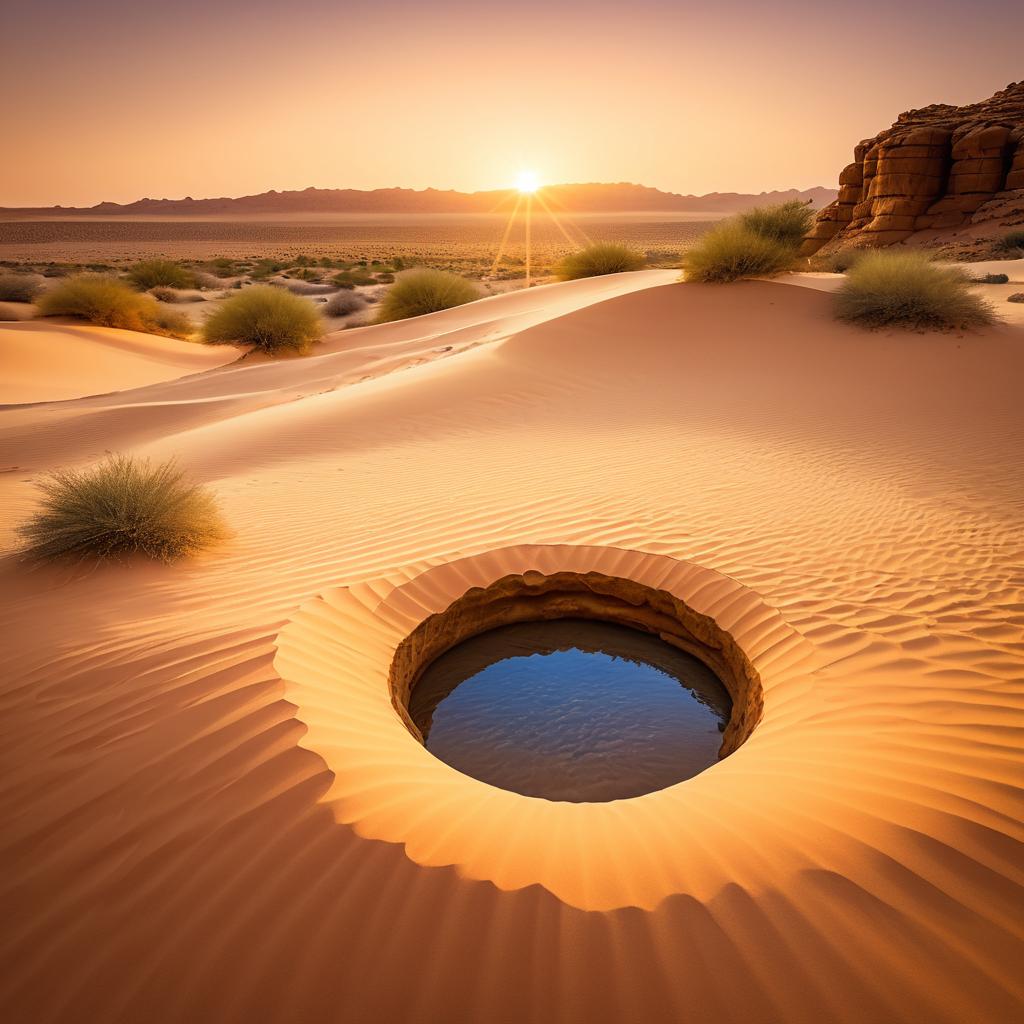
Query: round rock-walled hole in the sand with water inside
(575,688)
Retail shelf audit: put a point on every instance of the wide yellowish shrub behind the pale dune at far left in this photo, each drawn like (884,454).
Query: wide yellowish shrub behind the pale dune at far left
(110,303)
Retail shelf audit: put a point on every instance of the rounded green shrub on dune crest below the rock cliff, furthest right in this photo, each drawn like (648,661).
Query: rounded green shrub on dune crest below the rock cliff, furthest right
(905,289)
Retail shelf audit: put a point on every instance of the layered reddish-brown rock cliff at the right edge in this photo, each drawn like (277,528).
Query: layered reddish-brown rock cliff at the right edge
(941,167)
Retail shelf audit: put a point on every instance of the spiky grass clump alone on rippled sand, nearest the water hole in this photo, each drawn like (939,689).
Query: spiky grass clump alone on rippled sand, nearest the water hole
(122,507)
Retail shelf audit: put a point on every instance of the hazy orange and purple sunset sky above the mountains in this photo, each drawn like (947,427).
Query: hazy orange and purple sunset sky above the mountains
(110,100)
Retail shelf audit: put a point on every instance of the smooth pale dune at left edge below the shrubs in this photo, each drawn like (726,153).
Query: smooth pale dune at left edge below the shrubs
(44,362)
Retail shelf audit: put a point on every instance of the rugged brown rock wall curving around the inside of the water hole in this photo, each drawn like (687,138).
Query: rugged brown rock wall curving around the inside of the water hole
(534,598)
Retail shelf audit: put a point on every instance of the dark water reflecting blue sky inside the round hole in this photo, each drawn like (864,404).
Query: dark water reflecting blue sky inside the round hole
(572,710)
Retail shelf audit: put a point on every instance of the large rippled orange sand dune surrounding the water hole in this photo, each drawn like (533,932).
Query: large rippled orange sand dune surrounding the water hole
(181,846)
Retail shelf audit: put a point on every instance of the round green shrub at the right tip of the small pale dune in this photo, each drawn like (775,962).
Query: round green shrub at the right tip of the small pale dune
(267,318)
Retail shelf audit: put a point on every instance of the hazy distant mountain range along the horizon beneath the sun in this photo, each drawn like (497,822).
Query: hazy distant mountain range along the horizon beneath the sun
(571,198)
